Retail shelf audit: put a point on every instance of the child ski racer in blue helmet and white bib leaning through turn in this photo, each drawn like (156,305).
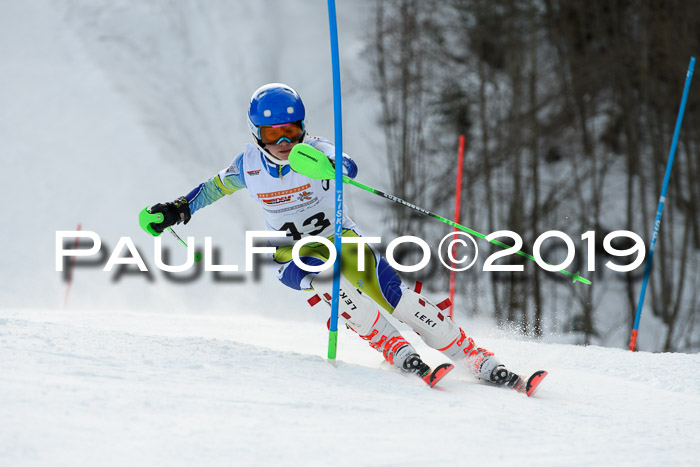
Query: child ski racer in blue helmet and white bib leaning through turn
(301,206)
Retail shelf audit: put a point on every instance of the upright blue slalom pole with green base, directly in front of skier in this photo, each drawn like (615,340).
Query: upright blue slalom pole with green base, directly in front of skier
(338,120)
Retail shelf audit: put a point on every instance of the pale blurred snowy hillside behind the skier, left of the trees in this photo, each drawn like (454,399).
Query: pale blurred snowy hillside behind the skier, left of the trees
(109,106)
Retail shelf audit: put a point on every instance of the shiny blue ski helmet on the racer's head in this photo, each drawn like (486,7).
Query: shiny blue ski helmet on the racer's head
(274,104)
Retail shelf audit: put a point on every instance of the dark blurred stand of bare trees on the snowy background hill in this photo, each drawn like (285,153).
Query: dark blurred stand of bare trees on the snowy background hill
(569,109)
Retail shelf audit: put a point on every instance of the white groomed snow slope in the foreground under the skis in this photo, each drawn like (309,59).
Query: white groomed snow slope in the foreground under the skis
(125,388)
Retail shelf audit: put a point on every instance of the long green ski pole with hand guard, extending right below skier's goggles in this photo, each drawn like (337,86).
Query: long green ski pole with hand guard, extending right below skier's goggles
(313,163)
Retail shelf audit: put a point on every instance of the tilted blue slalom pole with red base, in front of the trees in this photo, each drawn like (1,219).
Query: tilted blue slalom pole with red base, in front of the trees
(660,209)
